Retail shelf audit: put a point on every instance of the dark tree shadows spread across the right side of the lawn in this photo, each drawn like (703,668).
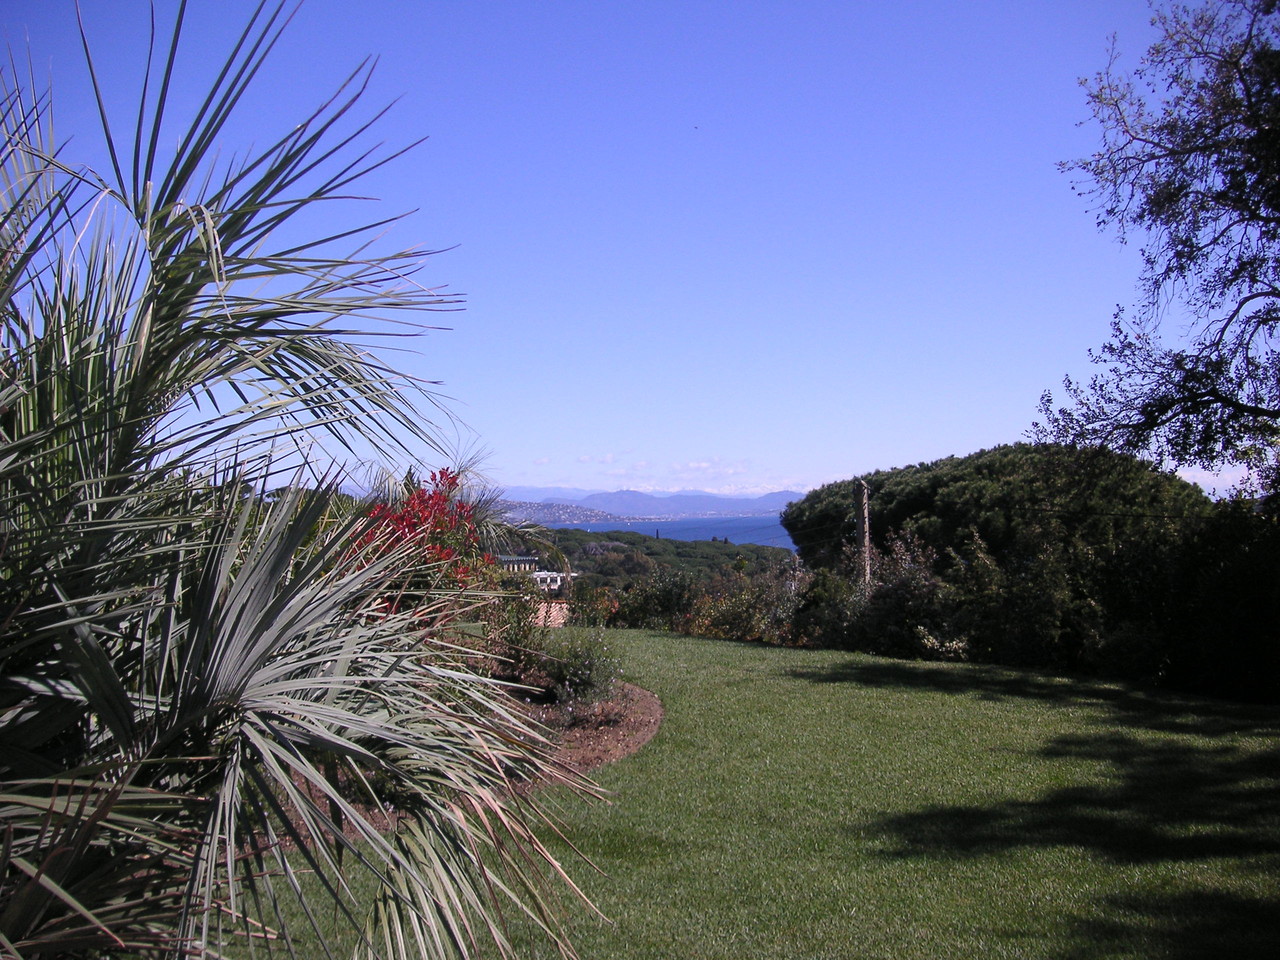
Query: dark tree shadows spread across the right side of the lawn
(1209,793)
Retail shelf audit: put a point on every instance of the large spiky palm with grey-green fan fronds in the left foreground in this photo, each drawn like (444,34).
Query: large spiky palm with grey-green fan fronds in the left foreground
(204,705)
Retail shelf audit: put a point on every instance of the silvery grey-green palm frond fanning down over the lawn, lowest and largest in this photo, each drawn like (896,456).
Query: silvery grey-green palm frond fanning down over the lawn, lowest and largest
(307,693)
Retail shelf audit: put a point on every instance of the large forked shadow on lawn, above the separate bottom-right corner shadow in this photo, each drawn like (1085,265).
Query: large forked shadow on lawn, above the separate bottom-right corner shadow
(1212,790)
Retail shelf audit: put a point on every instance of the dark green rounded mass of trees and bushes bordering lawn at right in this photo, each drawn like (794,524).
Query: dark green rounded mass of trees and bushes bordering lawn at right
(1078,560)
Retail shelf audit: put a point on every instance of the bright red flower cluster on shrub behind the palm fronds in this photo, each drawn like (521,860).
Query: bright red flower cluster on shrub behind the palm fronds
(441,525)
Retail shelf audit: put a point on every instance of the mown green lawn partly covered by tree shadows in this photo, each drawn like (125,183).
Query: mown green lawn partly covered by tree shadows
(819,804)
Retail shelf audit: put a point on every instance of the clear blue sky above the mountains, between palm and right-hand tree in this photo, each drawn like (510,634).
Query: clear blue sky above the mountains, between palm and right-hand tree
(730,246)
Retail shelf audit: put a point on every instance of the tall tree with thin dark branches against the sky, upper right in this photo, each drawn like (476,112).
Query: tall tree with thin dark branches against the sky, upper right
(1190,163)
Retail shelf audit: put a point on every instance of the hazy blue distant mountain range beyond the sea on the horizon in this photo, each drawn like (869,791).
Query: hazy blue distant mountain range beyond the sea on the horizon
(559,505)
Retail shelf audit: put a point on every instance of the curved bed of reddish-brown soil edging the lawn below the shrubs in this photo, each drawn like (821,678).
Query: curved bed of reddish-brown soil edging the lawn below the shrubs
(597,734)
